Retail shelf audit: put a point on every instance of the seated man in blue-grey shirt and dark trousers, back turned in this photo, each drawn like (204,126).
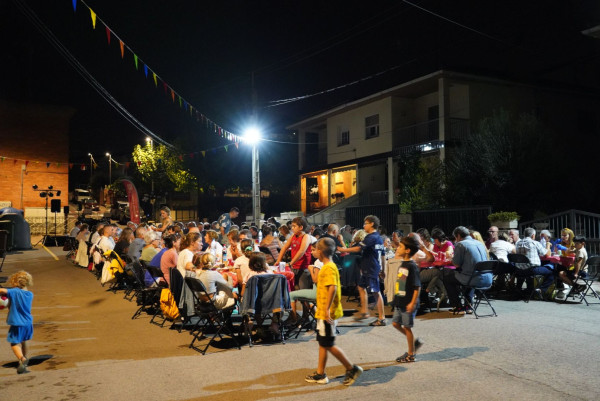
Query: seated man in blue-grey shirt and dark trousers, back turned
(467,253)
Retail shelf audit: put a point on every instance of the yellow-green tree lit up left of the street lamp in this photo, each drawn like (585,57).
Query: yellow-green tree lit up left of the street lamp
(163,166)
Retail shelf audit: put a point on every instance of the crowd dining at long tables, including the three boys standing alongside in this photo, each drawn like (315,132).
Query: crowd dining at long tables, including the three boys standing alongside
(406,271)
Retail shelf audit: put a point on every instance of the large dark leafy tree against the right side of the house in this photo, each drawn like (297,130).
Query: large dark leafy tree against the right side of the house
(500,163)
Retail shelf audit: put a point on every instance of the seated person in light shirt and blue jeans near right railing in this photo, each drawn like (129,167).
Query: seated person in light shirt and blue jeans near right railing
(531,248)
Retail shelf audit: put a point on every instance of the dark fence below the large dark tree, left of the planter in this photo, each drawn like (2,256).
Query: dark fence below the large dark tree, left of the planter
(448,219)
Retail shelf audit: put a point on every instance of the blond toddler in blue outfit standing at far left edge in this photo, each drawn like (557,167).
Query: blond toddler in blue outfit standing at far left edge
(19,316)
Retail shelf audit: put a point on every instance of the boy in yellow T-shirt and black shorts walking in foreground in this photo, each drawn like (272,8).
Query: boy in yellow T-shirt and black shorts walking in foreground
(329,309)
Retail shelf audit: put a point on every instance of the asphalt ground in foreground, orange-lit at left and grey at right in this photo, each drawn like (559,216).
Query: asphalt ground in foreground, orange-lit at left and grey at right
(87,347)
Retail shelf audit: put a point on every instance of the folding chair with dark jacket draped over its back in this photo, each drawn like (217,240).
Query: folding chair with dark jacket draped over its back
(266,296)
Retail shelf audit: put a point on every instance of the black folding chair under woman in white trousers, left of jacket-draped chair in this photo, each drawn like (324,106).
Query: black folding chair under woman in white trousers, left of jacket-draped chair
(213,318)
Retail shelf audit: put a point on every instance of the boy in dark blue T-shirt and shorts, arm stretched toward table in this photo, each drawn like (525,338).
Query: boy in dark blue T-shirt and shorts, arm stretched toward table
(370,267)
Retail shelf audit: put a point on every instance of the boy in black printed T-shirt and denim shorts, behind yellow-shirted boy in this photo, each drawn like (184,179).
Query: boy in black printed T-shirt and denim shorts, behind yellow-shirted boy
(406,298)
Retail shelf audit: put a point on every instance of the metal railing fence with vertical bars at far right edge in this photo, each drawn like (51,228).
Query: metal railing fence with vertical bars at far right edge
(582,223)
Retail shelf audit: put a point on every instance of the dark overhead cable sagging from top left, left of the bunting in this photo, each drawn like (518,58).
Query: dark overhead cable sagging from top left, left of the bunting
(85,74)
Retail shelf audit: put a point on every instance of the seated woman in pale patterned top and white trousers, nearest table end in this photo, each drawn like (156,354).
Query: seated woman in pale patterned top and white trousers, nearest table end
(216,286)
